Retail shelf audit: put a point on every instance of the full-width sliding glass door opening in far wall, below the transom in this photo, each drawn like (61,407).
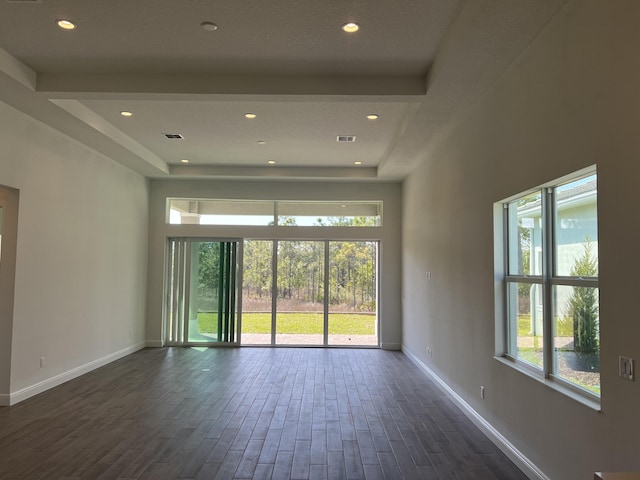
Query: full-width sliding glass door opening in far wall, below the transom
(271,292)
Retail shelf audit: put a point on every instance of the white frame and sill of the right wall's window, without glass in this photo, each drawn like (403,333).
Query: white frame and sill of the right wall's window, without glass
(548,279)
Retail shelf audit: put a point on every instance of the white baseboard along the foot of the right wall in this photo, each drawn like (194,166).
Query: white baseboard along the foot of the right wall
(515,455)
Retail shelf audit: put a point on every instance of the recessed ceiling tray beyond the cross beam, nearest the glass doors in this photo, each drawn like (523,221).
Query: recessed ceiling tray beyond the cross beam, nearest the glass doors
(217,133)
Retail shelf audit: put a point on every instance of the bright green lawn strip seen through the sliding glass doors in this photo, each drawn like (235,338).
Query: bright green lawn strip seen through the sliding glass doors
(300,323)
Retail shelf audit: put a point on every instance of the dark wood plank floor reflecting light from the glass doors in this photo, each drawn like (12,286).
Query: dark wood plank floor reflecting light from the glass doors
(248,413)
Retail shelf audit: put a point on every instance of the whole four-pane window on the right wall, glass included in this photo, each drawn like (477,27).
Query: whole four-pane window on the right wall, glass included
(550,280)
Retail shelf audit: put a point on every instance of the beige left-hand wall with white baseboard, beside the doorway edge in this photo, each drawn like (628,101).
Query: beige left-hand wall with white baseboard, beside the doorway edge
(80,284)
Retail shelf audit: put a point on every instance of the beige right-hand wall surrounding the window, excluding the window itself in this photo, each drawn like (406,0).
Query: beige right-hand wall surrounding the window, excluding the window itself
(570,101)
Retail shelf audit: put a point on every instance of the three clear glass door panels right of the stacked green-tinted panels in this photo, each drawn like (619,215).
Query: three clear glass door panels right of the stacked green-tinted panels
(315,293)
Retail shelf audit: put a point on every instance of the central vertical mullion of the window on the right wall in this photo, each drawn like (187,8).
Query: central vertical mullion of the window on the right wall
(548,272)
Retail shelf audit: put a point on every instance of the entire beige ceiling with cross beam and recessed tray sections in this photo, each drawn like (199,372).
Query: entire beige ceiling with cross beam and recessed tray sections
(418,64)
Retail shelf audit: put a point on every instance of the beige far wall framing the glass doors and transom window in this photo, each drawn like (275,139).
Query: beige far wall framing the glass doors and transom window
(388,235)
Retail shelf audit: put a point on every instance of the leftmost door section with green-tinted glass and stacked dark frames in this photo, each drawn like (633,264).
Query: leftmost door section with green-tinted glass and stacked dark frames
(202,293)
